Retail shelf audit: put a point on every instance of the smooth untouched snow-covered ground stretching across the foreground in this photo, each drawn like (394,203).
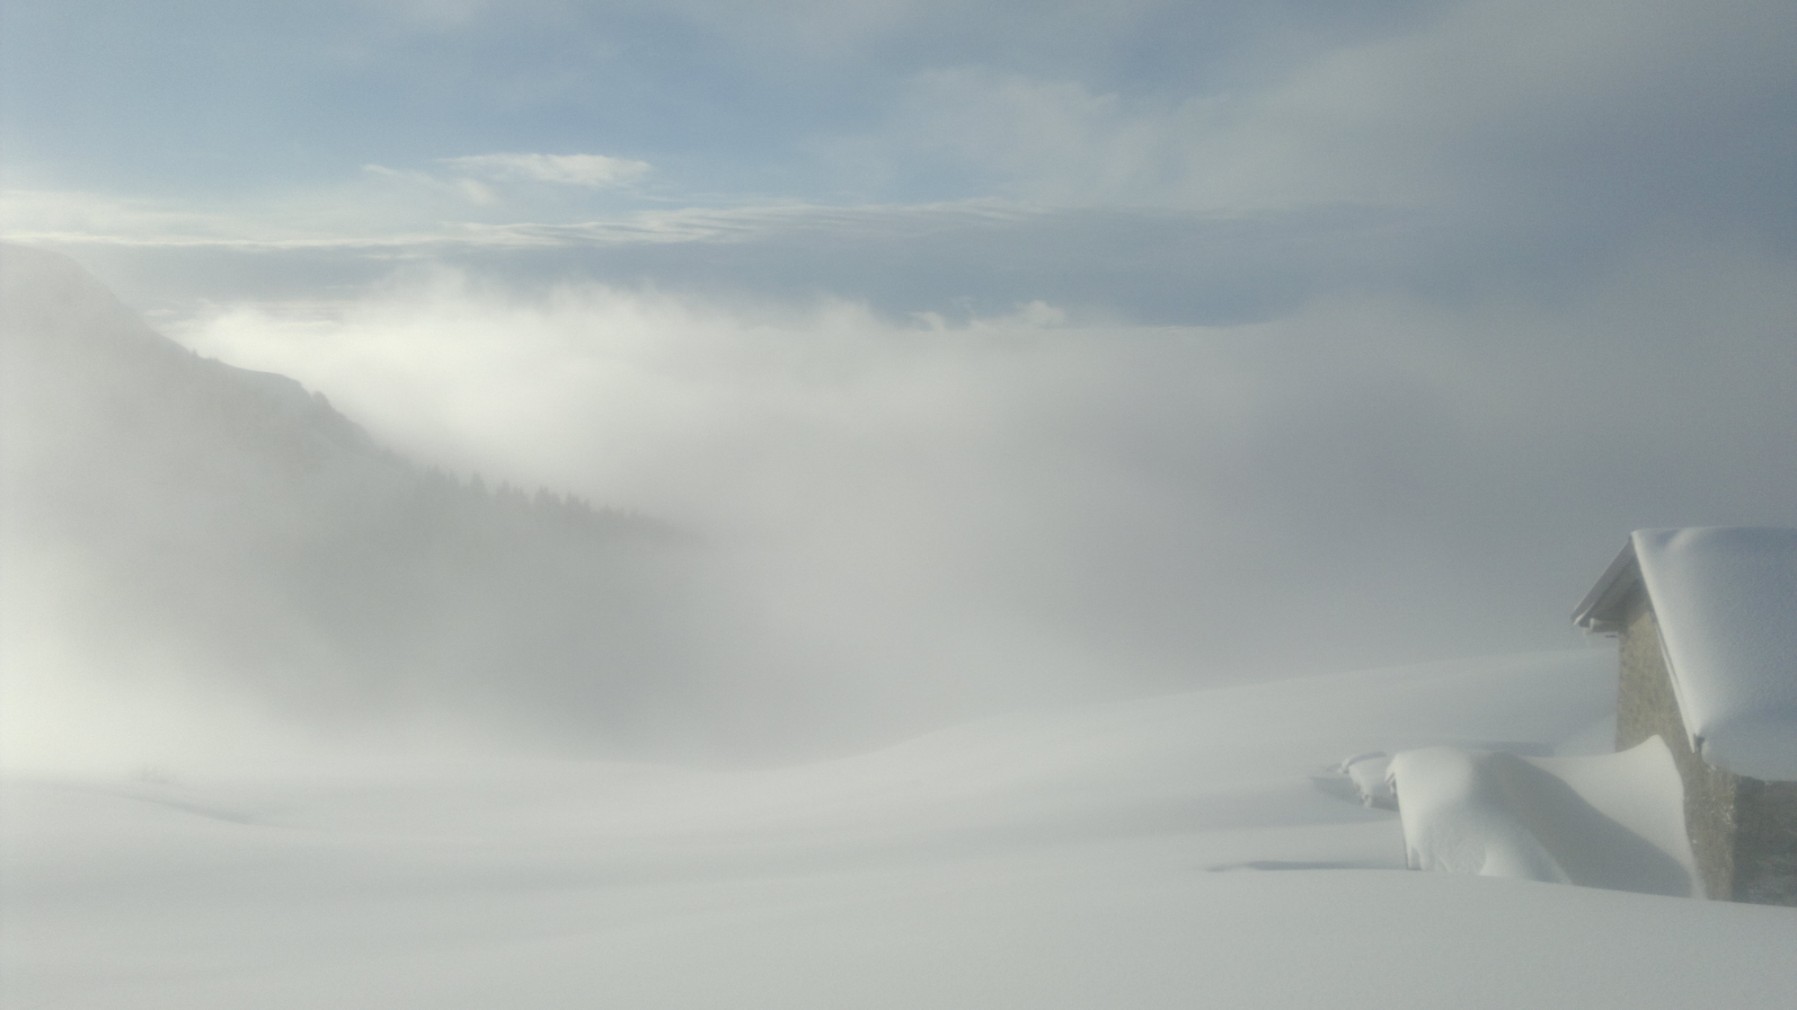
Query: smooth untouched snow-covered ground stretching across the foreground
(1189,851)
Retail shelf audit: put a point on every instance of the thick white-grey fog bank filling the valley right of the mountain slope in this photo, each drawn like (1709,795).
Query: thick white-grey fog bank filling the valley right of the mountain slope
(1365,481)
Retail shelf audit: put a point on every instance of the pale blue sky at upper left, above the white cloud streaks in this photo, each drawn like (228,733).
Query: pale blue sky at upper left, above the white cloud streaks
(736,96)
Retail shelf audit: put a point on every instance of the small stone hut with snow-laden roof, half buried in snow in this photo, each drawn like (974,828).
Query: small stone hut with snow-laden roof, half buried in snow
(1708,626)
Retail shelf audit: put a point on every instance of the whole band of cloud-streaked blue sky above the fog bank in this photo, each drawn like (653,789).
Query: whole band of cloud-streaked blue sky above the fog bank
(1510,137)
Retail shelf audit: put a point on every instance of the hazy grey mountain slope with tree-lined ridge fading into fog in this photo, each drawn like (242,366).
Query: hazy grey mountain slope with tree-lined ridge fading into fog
(172,517)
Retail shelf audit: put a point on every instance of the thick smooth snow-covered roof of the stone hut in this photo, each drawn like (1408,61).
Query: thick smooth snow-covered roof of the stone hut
(1726,599)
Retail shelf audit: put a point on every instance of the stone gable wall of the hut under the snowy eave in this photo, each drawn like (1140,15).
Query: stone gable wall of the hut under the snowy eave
(1645,705)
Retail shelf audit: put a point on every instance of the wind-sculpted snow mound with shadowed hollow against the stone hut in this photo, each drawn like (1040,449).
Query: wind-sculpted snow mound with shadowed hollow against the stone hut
(1602,820)
